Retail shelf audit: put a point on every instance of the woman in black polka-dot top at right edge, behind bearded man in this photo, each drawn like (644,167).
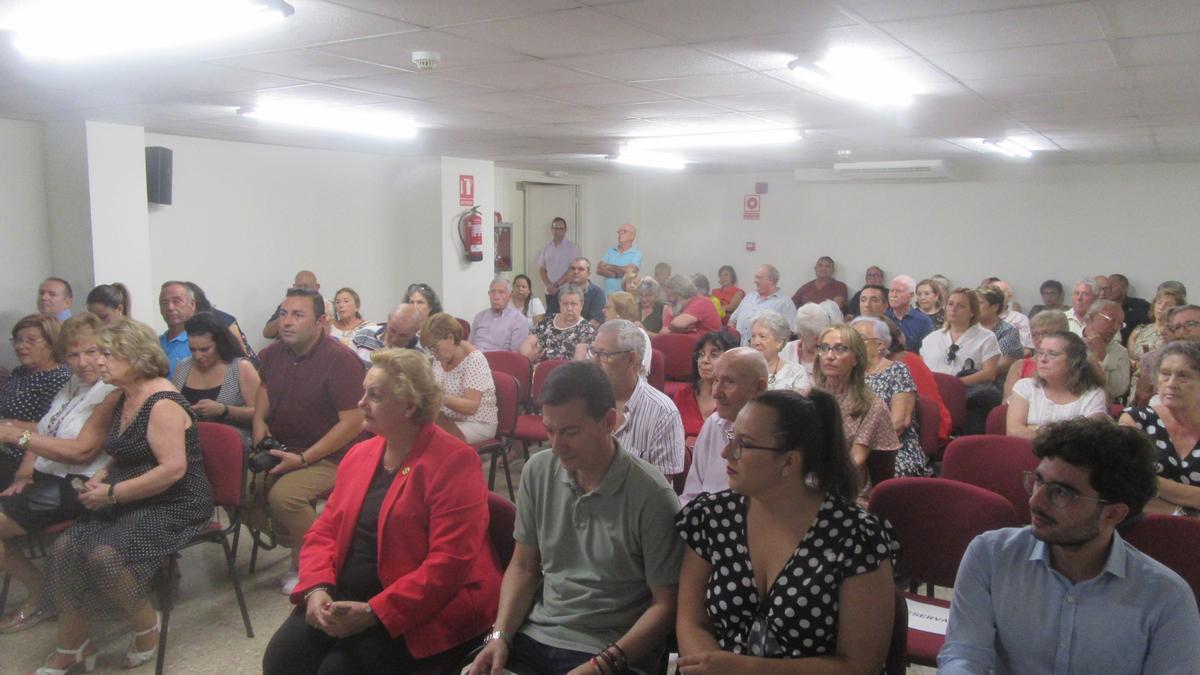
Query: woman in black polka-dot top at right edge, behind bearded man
(1174,427)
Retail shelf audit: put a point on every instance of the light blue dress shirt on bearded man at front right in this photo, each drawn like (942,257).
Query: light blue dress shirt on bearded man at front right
(1013,613)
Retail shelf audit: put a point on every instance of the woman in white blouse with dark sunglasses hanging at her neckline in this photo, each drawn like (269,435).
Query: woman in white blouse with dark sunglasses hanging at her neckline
(968,351)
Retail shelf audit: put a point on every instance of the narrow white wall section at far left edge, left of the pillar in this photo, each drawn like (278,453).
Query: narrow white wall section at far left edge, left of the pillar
(23,225)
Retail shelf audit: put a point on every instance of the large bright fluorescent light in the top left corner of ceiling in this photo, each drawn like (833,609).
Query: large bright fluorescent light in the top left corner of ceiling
(70,31)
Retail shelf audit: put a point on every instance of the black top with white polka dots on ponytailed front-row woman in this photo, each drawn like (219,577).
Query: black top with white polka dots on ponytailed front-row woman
(800,617)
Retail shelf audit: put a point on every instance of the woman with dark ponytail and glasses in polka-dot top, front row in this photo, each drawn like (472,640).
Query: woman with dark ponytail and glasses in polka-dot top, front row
(784,565)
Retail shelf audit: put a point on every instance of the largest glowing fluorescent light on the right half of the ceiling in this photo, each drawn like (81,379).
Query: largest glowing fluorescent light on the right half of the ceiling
(857,75)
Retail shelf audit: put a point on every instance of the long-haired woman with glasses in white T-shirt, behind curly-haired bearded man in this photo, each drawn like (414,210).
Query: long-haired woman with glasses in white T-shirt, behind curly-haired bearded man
(1065,387)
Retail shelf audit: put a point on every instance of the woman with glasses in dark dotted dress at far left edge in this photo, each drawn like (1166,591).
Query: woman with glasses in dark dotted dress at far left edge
(32,386)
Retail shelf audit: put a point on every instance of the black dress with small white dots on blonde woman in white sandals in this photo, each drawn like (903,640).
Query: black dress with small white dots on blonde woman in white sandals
(88,564)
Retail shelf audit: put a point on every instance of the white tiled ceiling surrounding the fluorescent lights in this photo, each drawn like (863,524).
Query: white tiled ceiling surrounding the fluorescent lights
(560,83)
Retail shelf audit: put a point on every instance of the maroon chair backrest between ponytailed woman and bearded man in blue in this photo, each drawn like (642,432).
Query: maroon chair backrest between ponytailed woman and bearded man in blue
(935,521)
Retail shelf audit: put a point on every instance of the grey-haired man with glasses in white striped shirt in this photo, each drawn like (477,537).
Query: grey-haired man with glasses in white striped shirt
(649,423)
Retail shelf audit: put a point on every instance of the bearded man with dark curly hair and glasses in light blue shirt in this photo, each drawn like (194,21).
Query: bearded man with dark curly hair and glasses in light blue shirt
(1067,594)
